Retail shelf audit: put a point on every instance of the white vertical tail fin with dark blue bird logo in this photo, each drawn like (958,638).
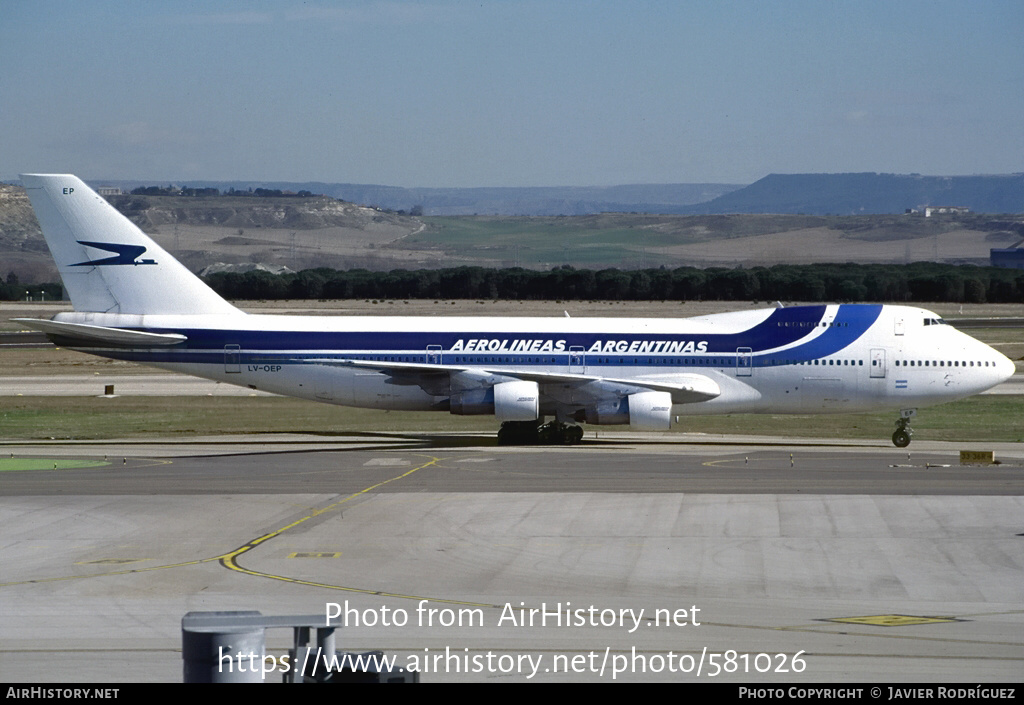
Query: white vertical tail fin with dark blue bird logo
(107,264)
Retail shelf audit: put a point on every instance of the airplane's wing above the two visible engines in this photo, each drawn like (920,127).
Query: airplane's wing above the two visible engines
(686,389)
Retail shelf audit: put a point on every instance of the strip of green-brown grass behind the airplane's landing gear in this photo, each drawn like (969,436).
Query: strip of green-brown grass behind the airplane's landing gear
(993,418)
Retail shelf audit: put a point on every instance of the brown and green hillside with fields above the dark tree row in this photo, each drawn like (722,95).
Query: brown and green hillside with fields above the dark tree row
(311,232)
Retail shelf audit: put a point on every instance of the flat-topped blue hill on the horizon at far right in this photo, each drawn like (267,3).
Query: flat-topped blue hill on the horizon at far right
(868,194)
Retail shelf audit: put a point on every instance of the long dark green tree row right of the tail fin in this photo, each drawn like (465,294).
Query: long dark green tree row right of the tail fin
(919,282)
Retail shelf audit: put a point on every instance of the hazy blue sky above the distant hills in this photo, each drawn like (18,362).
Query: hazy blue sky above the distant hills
(509,94)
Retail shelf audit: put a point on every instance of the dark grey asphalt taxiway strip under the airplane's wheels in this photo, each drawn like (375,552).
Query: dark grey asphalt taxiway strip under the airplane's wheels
(618,463)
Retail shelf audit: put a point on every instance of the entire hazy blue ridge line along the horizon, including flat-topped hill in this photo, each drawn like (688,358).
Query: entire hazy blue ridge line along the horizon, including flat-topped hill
(849,194)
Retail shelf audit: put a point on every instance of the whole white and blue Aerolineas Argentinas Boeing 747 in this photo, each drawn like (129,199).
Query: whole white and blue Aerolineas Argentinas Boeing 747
(134,302)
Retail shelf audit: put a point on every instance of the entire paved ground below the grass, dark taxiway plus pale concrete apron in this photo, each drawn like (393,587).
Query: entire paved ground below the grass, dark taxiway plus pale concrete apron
(921,556)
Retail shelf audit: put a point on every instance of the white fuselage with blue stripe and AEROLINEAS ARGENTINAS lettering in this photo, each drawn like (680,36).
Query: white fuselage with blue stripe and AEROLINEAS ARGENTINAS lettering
(796,360)
